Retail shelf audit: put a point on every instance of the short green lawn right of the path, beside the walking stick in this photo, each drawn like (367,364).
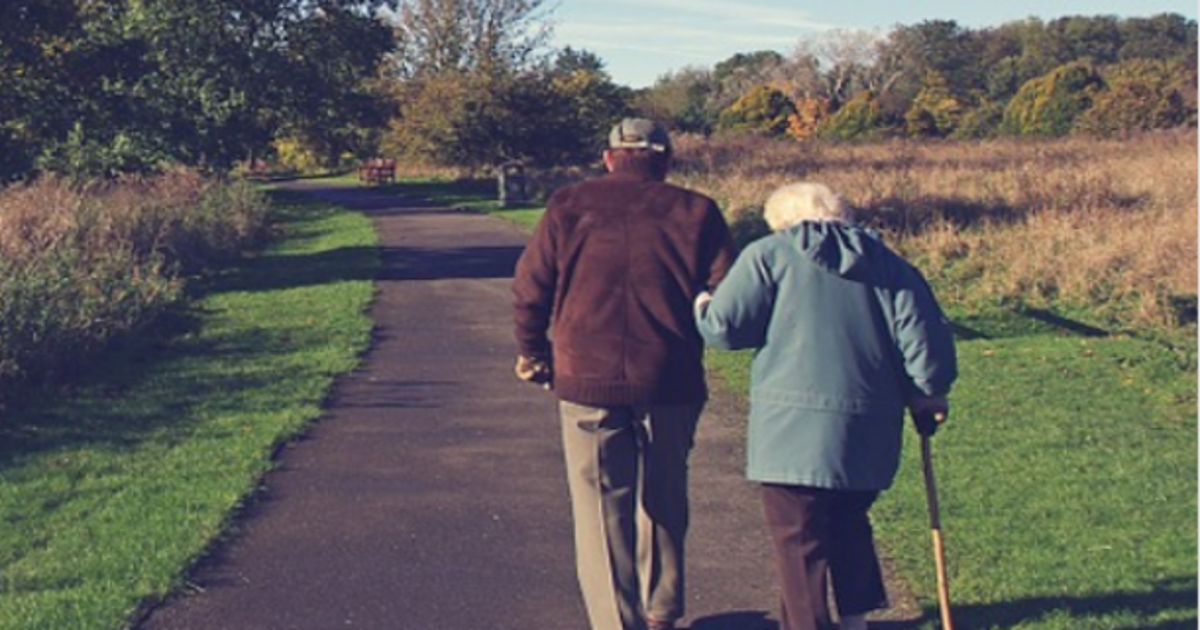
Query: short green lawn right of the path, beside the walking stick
(1067,476)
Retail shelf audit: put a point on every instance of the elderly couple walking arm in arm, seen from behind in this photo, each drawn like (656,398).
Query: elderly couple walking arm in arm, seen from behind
(634,277)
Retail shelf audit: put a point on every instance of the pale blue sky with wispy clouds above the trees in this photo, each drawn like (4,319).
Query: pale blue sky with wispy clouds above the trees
(641,40)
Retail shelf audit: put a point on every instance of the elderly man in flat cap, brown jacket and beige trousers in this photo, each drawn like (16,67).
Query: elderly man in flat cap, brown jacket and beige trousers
(616,263)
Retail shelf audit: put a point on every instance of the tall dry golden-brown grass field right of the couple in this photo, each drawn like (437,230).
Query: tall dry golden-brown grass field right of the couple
(1105,225)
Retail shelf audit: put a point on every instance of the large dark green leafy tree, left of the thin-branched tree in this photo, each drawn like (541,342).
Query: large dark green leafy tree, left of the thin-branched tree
(229,74)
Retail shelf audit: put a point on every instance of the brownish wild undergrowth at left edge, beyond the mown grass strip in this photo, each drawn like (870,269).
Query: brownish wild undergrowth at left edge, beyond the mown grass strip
(82,268)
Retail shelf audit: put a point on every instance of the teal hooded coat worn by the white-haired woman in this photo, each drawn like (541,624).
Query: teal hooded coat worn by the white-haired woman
(845,333)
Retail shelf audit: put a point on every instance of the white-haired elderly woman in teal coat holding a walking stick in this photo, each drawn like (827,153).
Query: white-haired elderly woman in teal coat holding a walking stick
(848,335)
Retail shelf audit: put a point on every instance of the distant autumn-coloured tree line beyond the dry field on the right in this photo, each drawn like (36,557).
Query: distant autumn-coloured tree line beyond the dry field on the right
(1090,75)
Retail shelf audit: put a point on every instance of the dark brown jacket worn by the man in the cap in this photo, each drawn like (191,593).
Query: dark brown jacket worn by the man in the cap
(616,263)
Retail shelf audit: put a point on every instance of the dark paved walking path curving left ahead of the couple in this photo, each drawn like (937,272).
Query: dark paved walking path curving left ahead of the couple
(431,495)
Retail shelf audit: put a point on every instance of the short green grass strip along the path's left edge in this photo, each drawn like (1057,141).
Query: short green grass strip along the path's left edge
(107,496)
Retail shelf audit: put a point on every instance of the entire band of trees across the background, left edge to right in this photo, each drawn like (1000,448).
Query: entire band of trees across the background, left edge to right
(99,88)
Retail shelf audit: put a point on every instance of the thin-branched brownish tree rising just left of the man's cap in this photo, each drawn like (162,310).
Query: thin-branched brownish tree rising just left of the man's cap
(475,91)
